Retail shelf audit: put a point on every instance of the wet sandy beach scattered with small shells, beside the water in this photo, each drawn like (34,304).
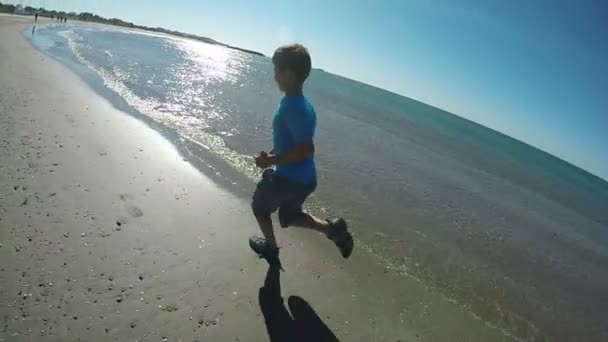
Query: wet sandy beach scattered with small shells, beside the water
(108,234)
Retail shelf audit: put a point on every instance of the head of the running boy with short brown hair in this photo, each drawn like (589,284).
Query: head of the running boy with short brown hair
(291,67)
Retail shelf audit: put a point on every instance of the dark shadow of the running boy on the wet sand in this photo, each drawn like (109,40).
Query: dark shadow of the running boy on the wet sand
(302,325)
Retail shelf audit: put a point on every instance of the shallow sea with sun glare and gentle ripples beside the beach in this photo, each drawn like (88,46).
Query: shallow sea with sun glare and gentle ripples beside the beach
(517,236)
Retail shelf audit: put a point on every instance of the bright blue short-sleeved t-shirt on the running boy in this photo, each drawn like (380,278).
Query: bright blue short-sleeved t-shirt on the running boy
(294,123)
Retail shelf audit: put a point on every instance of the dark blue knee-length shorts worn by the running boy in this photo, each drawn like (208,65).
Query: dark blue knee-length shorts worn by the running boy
(278,193)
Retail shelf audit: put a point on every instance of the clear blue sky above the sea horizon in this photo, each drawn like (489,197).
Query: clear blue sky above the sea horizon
(535,70)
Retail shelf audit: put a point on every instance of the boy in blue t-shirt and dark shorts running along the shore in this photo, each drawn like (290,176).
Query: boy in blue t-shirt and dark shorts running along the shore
(293,178)
